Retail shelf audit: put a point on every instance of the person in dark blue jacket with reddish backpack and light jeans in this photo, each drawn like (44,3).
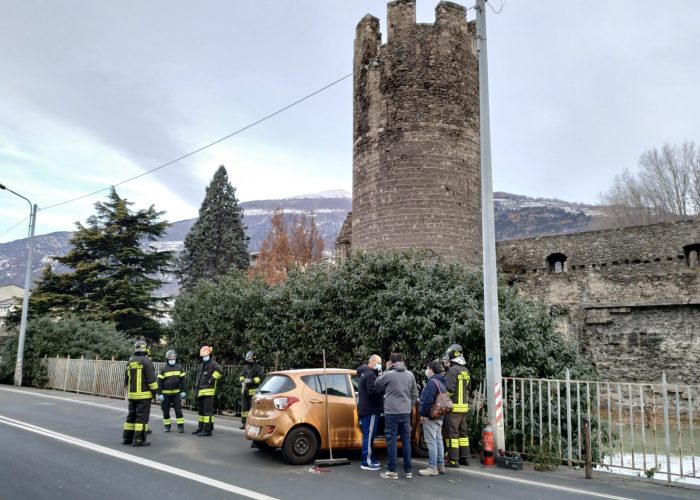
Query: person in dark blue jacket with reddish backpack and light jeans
(432,428)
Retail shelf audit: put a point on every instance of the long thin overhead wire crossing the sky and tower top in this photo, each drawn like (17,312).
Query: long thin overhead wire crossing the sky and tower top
(242,129)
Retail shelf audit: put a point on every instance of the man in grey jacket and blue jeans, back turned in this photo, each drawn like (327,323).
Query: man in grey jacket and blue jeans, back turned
(400,395)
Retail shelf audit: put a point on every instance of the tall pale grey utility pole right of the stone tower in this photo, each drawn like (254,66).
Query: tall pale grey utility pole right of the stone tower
(491,323)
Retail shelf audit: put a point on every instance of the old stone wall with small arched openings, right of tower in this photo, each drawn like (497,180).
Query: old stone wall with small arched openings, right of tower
(629,296)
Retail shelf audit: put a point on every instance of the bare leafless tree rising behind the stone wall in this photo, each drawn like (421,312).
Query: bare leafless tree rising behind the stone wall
(665,188)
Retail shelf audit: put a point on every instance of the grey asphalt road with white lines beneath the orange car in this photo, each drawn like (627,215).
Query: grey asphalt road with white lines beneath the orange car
(60,445)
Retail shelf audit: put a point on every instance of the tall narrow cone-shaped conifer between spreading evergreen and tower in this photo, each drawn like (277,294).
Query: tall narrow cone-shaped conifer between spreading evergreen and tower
(217,242)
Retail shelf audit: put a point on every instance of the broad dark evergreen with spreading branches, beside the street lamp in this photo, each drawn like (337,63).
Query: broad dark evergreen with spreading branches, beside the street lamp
(113,273)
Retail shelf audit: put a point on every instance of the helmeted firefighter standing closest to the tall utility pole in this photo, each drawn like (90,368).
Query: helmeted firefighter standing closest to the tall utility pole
(457,431)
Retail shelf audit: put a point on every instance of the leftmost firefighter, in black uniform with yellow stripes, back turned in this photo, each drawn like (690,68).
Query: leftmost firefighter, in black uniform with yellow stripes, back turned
(141,383)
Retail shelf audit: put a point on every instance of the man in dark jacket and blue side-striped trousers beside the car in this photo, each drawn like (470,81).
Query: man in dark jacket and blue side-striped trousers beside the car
(370,406)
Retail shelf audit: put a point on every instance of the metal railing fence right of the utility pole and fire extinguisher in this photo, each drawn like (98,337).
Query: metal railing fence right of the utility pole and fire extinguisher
(643,427)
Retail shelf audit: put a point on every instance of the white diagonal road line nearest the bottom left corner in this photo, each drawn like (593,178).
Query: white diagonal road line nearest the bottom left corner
(137,460)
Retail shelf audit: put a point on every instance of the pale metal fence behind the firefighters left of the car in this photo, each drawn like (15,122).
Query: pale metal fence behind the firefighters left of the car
(101,377)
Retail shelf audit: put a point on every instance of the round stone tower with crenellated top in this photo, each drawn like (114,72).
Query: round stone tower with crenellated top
(416,174)
